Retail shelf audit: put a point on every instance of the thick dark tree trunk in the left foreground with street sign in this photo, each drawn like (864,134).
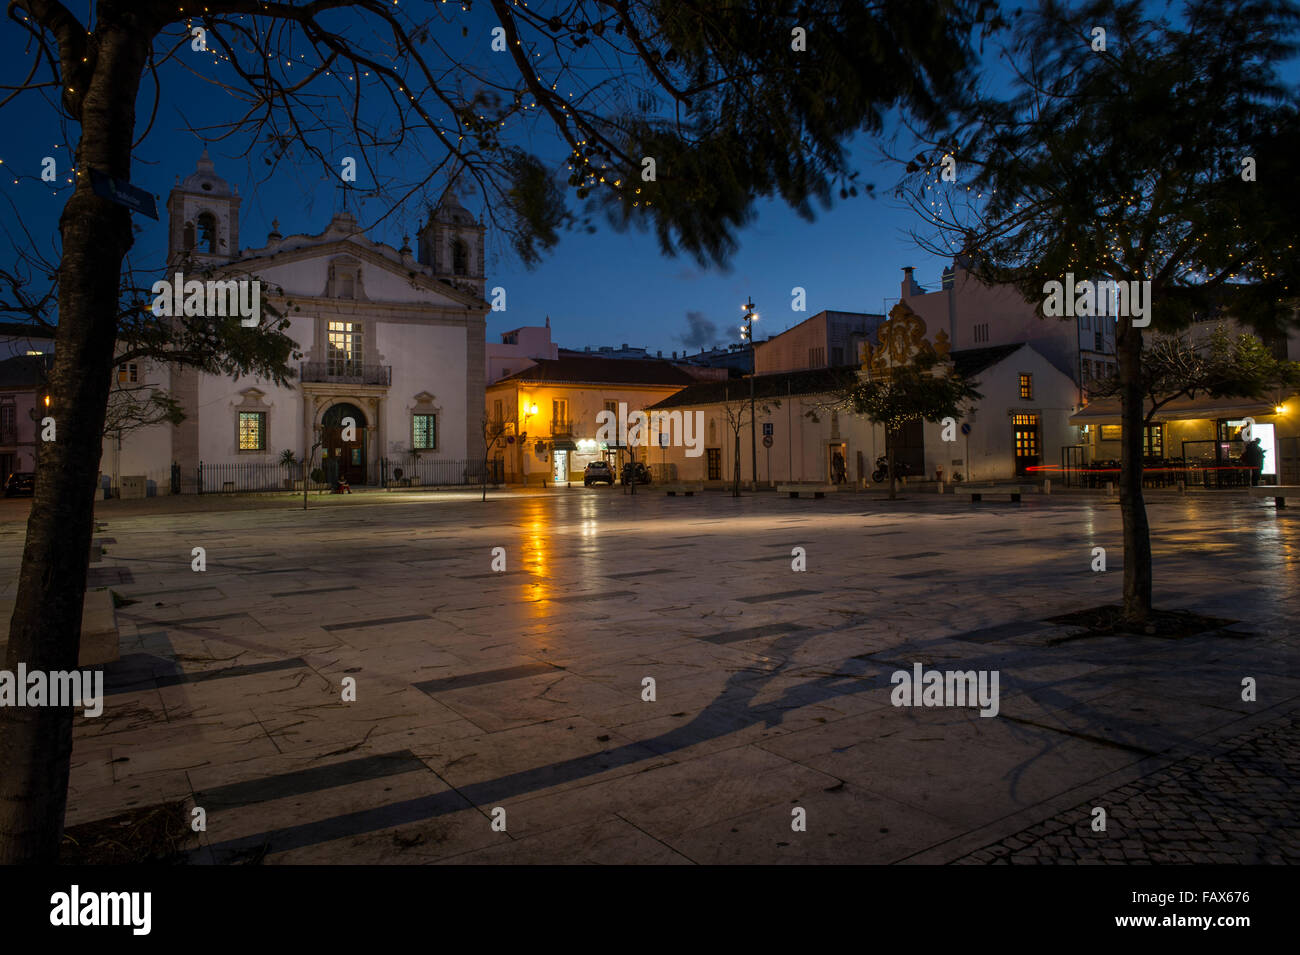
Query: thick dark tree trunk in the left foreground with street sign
(45,632)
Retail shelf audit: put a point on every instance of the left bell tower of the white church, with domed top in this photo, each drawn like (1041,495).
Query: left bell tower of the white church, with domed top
(203,218)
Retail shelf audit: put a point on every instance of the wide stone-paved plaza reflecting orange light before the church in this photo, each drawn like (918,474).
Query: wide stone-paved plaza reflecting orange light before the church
(523,691)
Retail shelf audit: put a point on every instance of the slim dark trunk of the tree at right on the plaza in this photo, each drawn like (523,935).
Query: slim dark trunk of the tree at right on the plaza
(1133,509)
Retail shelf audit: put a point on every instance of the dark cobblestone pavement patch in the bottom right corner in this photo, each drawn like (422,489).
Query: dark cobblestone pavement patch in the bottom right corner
(1233,806)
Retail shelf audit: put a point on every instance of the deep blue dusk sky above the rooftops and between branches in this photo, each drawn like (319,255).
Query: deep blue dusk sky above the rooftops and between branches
(604,289)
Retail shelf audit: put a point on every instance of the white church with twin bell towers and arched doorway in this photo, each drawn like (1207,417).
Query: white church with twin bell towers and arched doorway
(389,340)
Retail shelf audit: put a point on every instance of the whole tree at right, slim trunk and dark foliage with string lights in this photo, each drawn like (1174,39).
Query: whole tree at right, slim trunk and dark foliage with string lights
(1164,154)
